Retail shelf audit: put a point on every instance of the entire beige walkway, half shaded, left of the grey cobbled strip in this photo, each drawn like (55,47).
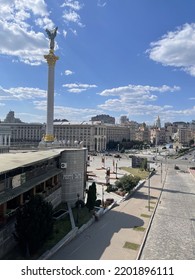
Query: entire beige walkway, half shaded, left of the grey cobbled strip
(105,239)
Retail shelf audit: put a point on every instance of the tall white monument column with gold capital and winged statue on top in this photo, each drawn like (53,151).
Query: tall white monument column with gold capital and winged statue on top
(51,59)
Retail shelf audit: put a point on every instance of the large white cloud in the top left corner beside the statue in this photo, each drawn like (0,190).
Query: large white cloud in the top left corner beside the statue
(20,40)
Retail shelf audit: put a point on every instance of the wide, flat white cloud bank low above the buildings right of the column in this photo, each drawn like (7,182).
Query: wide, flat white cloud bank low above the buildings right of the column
(135,100)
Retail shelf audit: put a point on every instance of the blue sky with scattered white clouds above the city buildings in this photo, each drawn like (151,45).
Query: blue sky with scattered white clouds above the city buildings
(116,57)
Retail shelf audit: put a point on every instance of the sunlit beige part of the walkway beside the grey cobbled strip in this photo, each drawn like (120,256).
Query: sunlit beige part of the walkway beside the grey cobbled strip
(127,242)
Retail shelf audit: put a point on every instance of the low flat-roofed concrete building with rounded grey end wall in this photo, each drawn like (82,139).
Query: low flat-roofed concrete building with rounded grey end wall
(58,175)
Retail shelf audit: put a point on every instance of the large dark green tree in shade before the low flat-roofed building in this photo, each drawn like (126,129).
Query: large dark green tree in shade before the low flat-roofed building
(34,223)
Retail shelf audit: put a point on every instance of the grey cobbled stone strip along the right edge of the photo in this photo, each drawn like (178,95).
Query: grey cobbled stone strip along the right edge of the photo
(172,234)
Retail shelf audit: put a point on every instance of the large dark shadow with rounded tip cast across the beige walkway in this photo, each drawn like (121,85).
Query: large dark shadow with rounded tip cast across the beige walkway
(91,244)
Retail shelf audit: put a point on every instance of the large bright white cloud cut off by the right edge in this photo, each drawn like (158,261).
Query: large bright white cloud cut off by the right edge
(176,49)
